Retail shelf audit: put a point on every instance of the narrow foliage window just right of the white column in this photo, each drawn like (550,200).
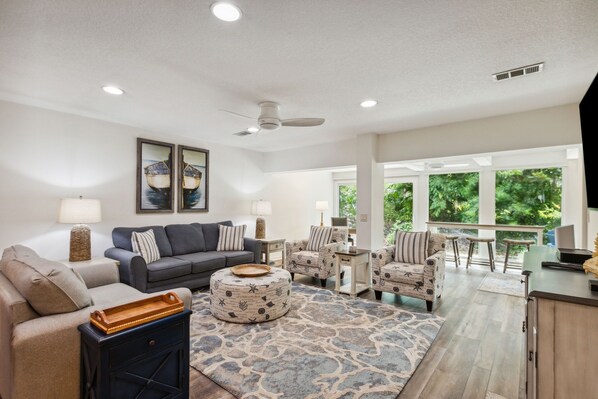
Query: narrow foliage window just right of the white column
(398,209)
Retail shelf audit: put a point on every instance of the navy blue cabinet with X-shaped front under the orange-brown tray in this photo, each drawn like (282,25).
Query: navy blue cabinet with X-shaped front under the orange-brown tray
(147,361)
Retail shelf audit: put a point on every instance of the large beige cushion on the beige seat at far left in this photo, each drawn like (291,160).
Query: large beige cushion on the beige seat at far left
(49,287)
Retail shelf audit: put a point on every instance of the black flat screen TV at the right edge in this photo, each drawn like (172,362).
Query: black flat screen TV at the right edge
(588,116)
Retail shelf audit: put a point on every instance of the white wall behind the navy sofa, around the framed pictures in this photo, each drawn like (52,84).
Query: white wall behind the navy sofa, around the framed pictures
(49,155)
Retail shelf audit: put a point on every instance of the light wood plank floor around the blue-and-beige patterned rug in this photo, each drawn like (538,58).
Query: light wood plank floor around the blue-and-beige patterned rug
(477,354)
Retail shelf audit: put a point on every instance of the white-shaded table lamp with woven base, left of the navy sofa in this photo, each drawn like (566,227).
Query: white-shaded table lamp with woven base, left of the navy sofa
(79,211)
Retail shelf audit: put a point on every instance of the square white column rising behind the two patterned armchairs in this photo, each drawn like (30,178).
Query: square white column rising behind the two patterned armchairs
(370,193)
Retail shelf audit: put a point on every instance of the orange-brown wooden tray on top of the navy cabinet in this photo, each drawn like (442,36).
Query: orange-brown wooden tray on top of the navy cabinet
(132,314)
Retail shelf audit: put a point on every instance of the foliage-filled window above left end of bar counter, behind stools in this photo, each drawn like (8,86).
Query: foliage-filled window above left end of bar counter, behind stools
(454,197)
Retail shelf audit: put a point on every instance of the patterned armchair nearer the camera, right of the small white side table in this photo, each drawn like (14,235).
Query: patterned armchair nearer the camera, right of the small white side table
(424,281)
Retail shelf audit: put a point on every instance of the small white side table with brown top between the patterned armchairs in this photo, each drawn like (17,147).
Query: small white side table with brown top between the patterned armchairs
(359,258)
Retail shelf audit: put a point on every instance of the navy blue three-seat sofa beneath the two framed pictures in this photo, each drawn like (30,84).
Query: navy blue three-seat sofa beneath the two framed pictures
(188,256)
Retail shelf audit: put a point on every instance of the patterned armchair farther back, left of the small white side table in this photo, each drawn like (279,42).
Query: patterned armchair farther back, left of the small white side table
(319,264)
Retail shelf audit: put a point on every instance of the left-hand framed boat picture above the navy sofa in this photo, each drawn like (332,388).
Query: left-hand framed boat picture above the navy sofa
(155,176)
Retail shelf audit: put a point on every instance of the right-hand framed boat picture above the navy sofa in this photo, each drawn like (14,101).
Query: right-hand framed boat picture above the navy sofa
(193,187)
